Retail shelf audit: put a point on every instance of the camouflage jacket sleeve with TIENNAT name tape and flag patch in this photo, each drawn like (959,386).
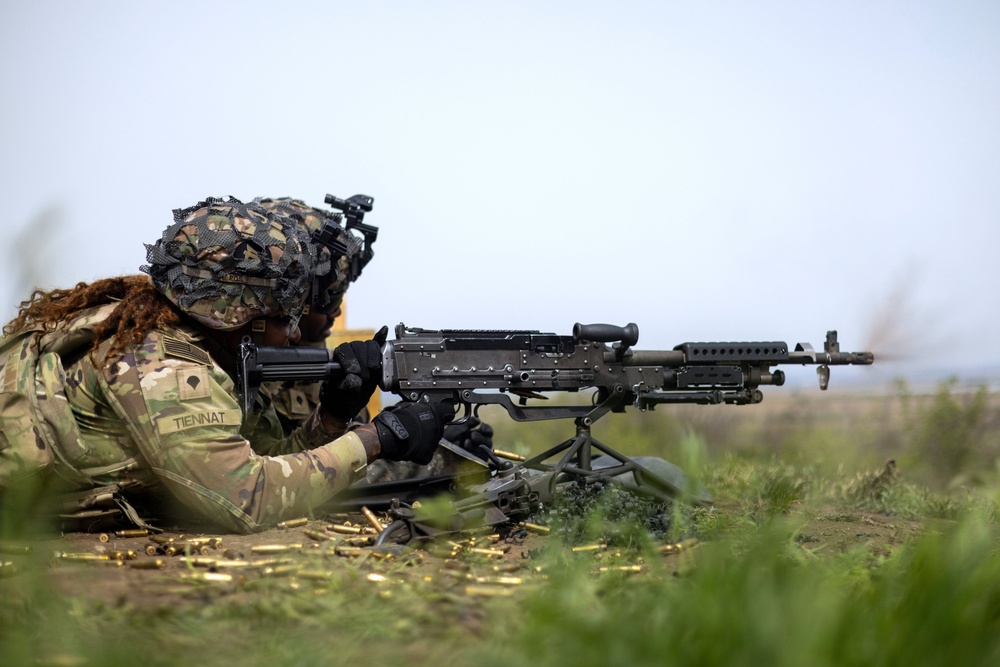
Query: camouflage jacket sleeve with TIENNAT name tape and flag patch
(182,413)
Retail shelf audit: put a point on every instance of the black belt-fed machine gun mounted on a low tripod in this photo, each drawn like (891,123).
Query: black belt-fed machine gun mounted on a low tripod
(472,368)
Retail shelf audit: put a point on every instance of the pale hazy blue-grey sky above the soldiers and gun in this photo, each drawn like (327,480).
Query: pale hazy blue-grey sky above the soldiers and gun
(710,171)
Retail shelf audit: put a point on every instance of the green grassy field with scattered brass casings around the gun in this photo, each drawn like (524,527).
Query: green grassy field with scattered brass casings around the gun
(815,552)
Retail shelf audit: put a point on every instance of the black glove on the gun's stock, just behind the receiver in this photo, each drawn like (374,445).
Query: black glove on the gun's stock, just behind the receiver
(361,362)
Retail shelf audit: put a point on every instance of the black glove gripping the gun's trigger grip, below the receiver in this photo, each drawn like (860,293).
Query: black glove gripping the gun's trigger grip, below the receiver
(410,432)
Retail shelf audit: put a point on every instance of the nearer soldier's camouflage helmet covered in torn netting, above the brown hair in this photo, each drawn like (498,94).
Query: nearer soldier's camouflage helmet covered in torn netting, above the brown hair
(225,263)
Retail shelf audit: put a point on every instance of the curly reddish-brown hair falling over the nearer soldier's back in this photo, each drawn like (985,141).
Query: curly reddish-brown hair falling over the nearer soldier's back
(141,308)
